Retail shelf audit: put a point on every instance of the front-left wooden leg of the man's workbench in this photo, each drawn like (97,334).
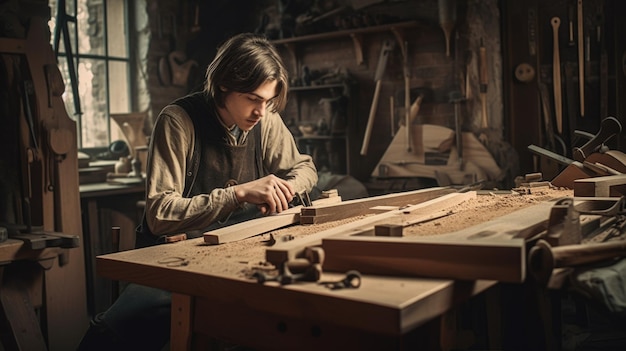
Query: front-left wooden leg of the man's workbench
(182,322)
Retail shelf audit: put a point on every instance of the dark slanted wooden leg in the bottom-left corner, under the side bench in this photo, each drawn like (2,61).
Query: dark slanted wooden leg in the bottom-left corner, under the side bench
(20,327)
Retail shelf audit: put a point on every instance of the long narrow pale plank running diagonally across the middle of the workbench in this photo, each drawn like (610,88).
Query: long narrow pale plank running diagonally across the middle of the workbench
(283,252)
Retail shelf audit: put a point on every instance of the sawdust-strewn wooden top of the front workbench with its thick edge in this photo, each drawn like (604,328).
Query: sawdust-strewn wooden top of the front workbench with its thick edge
(389,305)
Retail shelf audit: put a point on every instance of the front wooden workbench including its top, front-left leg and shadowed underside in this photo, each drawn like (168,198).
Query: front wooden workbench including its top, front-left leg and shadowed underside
(213,297)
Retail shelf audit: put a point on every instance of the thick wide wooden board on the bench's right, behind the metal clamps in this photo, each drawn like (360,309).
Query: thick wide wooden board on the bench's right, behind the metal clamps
(493,250)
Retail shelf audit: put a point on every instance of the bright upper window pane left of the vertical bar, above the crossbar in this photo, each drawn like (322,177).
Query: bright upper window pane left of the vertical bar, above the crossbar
(90,19)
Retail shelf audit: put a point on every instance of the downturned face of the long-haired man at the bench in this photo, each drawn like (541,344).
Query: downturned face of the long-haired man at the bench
(246,109)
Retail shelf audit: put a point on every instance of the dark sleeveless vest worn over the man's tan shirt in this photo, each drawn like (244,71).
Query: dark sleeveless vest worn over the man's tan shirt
(215,163)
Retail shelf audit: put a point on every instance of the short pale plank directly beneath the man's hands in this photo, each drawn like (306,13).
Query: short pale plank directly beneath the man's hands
(261,225)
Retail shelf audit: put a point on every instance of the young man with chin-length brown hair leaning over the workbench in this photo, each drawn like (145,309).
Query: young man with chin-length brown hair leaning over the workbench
(215,158)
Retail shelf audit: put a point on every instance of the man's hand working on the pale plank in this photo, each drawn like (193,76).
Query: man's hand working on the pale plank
(270,193)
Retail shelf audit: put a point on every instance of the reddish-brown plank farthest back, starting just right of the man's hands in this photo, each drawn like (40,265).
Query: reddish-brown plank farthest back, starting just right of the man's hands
(357,207)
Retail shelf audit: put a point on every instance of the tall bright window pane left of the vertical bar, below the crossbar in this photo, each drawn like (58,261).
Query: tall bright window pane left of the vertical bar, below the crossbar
(93,96)
